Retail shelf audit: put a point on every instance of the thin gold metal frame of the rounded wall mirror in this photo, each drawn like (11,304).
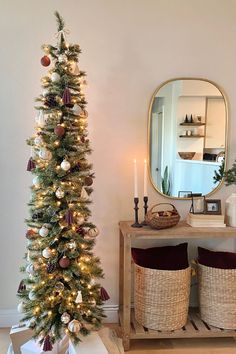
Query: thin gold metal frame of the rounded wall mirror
(149,128)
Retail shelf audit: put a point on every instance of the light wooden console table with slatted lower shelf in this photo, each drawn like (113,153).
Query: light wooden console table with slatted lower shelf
(131,329)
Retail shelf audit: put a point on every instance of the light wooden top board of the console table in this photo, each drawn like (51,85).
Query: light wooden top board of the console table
(181,230)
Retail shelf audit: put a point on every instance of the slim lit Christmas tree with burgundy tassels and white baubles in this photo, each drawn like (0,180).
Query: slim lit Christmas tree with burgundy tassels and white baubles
(60,293)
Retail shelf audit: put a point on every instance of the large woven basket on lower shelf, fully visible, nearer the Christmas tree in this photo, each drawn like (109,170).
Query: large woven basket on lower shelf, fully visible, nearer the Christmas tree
(161,297)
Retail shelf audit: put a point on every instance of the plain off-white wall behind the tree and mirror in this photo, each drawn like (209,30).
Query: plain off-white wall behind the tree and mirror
(129,48)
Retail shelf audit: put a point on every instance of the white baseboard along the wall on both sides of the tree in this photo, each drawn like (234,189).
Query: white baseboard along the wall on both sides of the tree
(9,317)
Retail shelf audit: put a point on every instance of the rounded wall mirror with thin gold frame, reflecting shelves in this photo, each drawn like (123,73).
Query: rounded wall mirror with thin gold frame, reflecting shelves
(187,137)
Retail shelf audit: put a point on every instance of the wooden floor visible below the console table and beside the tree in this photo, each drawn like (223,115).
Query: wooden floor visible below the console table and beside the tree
(161,346)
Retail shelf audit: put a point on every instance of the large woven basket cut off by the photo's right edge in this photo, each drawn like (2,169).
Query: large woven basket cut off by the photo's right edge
(217,296)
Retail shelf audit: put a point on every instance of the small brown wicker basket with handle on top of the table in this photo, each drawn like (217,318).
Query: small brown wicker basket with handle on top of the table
(162,219)
